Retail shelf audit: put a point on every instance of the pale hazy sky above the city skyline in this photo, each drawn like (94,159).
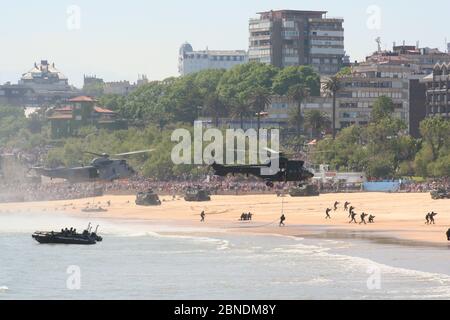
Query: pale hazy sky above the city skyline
(120,39)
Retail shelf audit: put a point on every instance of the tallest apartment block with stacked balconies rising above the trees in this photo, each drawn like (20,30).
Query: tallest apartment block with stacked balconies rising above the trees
(290,38)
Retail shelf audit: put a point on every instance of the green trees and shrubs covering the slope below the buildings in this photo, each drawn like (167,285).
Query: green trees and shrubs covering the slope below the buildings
(382,148)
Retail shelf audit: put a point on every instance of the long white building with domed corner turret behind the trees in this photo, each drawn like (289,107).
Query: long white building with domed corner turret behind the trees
(191,61)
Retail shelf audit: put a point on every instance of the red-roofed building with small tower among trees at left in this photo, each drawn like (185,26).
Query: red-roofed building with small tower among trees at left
(79,112)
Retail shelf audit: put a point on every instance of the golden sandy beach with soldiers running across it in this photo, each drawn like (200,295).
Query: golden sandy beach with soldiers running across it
(400,218)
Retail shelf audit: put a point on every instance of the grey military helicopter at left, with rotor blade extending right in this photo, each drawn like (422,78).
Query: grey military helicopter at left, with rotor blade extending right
(102,168)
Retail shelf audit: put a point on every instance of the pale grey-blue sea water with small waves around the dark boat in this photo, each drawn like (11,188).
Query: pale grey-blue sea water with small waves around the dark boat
(138,260)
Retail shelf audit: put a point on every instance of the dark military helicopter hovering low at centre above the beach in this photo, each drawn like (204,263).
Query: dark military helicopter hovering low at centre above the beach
(287,171)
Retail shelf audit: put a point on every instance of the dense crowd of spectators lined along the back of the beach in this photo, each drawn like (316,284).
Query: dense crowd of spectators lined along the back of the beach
(17,192)
